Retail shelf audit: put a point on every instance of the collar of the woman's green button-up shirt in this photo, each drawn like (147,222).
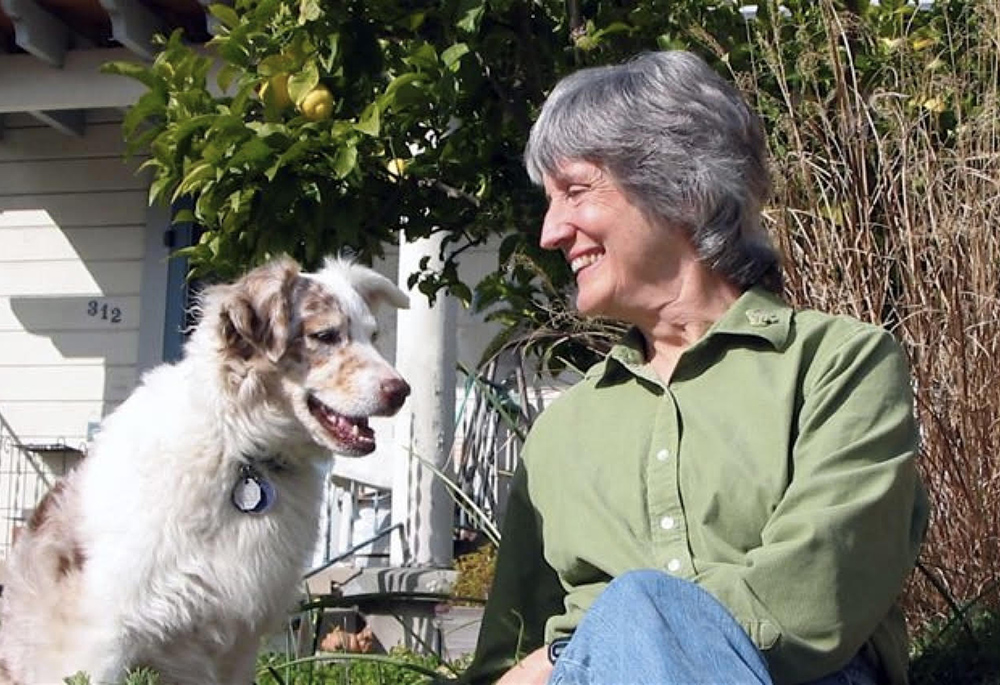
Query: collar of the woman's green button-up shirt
(758,313)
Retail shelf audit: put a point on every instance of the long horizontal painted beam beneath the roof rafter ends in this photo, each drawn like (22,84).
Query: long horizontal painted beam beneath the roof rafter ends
(28,85)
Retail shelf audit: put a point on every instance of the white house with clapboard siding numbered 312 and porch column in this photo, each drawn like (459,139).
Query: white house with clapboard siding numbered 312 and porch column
(89,299)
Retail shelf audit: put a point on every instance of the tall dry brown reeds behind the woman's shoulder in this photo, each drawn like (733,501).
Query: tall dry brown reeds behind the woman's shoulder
(887,208)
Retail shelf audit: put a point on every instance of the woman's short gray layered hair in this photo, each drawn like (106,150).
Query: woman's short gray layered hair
(681,143)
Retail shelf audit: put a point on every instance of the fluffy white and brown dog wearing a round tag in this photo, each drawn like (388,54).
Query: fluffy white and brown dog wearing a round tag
(181,539)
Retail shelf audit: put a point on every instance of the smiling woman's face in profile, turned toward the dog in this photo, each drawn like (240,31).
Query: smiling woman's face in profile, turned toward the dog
(626,267)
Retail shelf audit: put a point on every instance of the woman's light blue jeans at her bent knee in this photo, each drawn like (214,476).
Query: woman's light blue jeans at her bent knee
(652,628)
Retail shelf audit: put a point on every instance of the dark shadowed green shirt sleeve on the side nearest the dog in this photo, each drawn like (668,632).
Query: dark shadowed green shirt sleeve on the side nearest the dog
(525,591)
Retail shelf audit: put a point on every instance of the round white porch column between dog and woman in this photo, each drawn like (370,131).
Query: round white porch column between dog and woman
(426,356)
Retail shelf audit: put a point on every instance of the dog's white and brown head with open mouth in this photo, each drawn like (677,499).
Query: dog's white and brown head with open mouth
(312,335)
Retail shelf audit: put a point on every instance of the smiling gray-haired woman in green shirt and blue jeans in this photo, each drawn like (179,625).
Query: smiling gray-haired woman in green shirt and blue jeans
(731,496)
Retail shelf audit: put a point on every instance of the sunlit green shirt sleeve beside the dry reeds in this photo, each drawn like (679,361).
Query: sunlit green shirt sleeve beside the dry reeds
(836,550)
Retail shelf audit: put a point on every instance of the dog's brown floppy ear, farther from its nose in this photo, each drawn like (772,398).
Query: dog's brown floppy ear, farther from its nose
(256,314)
